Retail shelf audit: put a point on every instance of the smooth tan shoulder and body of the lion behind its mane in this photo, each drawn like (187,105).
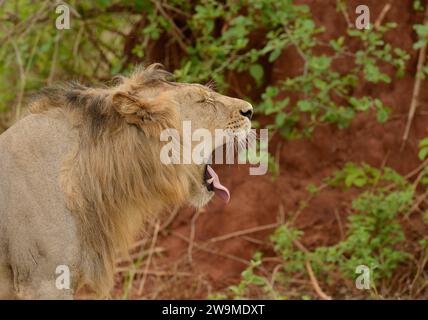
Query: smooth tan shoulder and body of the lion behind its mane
(33,217)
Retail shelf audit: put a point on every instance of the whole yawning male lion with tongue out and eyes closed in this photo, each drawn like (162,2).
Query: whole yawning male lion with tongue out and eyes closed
(80,175)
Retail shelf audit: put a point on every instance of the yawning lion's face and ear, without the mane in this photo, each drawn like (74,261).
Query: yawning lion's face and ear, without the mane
(167,104)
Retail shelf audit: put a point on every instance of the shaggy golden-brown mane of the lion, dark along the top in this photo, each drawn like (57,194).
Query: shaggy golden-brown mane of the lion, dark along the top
(113,180)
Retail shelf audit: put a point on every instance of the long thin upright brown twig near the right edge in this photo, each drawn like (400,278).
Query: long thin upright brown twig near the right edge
(416,89)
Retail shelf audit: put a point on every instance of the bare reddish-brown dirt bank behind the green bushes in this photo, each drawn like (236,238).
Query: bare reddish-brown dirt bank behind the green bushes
(191,258)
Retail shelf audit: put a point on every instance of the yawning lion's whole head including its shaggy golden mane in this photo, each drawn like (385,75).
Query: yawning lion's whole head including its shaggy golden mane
(113,179)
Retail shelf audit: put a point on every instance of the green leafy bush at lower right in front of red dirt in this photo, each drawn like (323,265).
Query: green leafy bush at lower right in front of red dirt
(374,238)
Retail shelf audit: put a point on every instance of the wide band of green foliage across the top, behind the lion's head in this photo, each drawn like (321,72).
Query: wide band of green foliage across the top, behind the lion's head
(215,38)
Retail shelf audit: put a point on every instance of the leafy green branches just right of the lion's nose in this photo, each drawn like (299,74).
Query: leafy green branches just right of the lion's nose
(325,95)
